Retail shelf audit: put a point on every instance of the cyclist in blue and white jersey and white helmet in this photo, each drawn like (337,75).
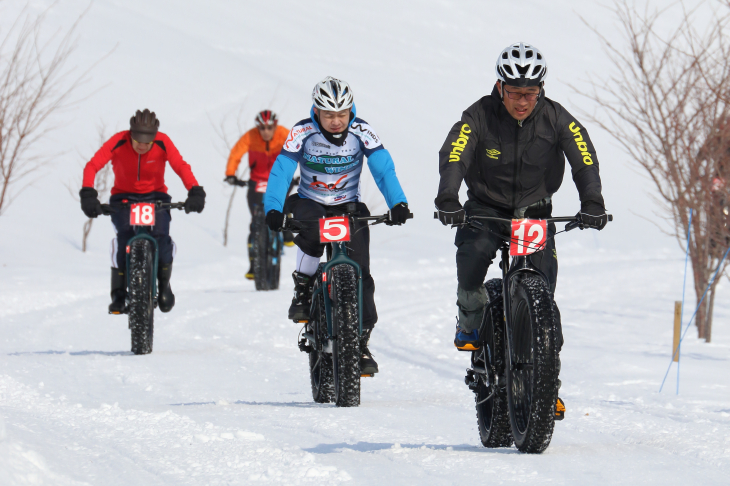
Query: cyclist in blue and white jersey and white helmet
(330,148)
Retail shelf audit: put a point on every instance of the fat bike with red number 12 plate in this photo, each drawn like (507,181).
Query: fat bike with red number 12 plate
(514,373)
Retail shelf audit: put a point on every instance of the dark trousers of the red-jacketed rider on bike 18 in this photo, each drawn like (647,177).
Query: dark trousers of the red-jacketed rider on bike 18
(160,231)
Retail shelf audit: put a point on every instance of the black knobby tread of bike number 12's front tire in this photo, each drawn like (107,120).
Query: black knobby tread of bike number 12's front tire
(538,432)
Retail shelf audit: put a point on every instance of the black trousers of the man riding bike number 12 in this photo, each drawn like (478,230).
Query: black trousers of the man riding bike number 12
(476,249)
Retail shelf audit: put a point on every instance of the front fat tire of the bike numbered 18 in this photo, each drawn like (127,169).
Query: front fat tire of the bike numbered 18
(140,295)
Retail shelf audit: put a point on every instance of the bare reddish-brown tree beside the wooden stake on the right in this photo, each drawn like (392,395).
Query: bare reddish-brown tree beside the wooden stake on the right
(666,103)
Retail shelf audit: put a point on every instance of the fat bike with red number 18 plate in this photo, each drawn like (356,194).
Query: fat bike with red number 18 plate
(142,262)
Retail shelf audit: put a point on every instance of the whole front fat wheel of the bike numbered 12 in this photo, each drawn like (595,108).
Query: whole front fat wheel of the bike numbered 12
(532,390)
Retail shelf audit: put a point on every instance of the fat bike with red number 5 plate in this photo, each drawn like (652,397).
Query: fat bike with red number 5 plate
(331,336)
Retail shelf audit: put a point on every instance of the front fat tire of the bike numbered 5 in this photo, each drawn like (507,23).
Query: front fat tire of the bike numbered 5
(346,348)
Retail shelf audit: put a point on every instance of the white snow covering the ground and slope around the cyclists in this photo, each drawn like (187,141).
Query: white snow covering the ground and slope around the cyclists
(224,398)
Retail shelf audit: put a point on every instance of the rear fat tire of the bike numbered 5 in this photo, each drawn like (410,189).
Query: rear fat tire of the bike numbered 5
(320,374)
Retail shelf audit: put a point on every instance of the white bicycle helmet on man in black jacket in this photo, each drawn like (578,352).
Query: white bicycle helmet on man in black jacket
(521,65)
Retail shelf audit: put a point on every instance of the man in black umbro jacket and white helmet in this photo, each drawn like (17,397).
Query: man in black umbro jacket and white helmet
(510,149)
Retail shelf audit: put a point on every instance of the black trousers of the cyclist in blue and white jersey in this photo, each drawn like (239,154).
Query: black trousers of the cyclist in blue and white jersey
(358,248)
